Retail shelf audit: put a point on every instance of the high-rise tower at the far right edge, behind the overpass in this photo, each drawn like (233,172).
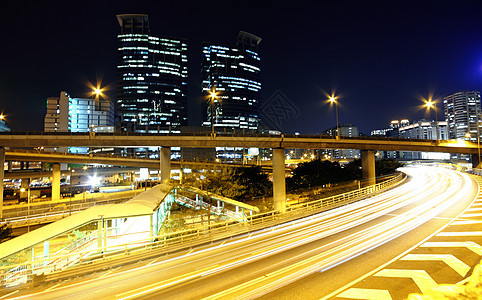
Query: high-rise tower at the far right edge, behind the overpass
(462,113)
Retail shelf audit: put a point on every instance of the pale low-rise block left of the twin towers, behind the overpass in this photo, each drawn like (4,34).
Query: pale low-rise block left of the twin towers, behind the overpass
(67,114)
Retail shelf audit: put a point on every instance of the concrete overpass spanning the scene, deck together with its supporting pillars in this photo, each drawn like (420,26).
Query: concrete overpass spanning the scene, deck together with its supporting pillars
(202,140)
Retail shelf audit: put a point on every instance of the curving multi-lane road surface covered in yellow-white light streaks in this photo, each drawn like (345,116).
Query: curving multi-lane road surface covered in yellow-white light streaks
(309,258)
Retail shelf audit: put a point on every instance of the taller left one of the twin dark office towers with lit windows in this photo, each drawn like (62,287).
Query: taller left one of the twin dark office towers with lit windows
(152,78)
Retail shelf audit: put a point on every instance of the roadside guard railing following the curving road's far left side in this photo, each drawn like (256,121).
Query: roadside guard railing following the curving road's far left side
(88,259)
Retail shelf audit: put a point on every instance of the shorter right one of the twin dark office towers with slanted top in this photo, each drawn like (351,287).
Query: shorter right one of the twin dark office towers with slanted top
(234,73)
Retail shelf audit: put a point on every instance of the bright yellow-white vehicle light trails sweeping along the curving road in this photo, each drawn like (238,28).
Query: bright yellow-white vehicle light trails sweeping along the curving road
(376,220)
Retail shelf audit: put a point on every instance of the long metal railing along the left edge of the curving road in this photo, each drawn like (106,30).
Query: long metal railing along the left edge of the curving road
(18,274)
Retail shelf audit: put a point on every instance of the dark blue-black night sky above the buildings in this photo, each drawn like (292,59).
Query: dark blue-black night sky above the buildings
(379,56)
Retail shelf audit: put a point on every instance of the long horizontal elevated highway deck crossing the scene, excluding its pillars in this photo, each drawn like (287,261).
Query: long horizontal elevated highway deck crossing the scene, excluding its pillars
(221,140)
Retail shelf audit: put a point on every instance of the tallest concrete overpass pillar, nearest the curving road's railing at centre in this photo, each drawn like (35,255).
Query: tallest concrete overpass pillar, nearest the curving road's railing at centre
(279,184)
